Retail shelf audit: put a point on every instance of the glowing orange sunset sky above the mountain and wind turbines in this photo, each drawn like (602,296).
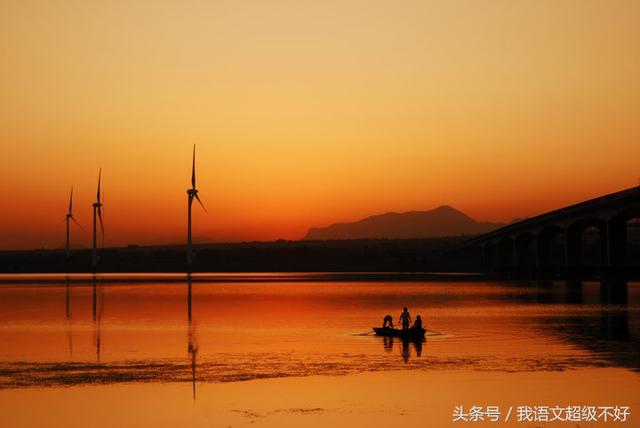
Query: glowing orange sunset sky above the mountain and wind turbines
(306,113)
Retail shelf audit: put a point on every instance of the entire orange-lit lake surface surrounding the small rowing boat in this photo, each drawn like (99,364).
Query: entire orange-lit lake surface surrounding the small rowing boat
(223,352)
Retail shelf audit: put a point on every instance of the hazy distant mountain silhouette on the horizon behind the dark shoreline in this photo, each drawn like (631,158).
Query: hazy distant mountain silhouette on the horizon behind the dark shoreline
(439,222)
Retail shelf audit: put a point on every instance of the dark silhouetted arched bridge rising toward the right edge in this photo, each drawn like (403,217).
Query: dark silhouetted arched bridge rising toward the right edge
(559,238)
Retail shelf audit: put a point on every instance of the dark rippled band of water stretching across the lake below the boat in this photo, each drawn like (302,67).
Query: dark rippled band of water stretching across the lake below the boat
(258,366)
